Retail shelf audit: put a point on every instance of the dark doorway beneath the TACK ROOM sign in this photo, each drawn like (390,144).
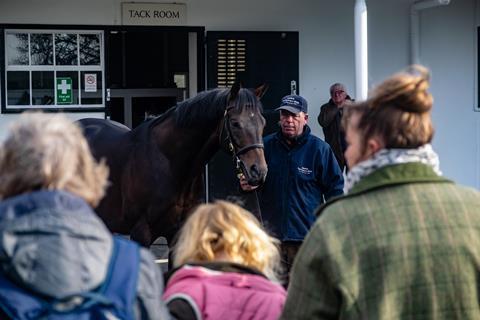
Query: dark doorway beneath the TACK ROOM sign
(150,69)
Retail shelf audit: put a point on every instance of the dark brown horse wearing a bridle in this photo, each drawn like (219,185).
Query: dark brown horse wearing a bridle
(156,169)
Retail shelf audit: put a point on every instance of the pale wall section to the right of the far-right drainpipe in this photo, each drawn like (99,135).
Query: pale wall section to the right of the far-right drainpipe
(448,47)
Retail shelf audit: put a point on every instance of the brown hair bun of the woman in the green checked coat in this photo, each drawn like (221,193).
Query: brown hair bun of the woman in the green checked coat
(407,91)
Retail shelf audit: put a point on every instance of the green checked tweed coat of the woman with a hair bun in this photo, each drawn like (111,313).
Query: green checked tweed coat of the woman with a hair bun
(403,244)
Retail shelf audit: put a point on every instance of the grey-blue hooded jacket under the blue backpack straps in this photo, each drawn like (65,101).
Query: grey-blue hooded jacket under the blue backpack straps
(53,244)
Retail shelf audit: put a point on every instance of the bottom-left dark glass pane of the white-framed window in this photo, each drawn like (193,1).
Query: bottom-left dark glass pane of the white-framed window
(18,88)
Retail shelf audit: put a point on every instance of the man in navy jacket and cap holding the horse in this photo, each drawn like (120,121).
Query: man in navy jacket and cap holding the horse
(302,173)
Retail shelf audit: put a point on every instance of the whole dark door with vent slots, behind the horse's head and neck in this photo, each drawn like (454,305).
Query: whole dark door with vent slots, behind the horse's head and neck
(254,58)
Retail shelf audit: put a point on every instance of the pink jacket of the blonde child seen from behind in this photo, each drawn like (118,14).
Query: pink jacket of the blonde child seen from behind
(226,295)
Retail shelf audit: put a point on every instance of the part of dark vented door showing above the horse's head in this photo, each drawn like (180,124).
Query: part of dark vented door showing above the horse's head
(269,57)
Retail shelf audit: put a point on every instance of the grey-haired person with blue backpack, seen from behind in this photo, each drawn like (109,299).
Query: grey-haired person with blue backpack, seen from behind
(57,258)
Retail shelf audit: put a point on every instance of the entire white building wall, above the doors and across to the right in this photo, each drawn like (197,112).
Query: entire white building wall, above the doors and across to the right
(448,47)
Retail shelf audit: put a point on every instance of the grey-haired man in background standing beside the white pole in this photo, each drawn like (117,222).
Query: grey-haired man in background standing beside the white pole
(330,119)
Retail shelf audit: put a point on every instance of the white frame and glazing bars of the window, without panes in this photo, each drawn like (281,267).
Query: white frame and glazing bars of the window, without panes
(78,68)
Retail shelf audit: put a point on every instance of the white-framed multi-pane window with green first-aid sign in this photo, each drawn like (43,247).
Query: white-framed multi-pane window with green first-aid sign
(50,69)
